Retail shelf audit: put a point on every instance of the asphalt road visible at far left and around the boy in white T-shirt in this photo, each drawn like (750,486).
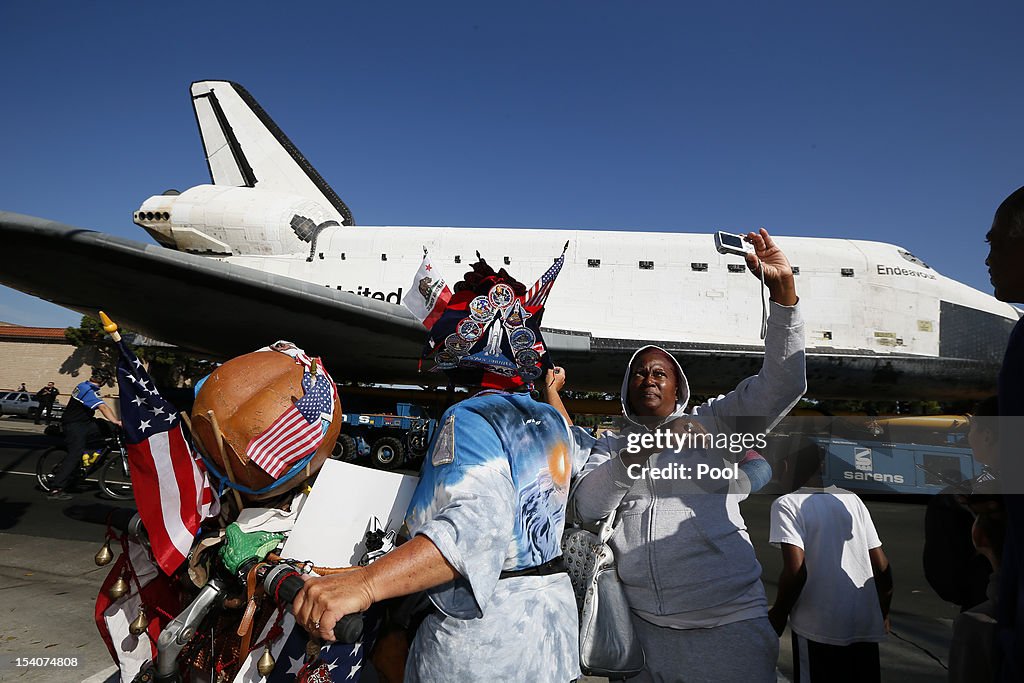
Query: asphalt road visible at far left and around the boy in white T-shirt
(50,581)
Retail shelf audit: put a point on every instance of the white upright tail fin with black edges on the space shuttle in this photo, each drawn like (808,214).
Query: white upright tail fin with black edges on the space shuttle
(246,149)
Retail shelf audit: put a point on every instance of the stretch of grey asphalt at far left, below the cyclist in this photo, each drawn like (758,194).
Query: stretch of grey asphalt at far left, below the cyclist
(49,580)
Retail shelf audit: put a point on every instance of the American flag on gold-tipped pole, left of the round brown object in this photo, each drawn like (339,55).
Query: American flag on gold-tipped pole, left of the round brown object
(172,487)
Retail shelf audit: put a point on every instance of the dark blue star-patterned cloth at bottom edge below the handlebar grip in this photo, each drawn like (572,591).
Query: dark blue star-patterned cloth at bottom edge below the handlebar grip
(333,663)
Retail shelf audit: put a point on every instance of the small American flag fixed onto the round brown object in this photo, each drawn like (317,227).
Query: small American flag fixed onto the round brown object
(300,431)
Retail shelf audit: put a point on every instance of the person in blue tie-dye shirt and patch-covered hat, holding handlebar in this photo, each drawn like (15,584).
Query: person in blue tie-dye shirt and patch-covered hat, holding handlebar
(488,516)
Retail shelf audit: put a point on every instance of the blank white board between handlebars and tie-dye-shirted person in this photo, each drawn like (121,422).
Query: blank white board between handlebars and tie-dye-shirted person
(342,508)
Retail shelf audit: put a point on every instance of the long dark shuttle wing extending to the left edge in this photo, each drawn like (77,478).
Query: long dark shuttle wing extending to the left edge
(207,306)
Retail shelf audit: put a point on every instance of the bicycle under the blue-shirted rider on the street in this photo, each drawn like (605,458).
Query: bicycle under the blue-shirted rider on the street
(107,458)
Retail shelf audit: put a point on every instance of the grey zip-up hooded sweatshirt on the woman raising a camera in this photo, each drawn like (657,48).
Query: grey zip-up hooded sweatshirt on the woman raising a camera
(681,545)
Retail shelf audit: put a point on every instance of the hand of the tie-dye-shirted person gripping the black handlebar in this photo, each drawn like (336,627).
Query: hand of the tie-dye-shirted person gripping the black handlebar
(324,601)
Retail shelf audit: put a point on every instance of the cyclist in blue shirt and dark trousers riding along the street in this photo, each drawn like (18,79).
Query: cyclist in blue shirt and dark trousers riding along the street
(80,429)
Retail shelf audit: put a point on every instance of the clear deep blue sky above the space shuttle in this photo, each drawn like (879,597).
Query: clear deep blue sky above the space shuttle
(899,122)
